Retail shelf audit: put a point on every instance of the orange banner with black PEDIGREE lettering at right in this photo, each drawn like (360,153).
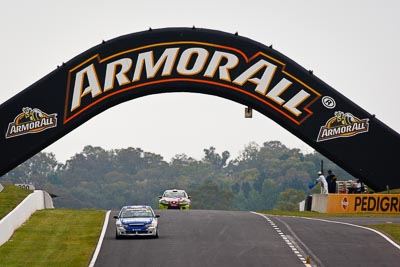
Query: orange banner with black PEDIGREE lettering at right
(363,203)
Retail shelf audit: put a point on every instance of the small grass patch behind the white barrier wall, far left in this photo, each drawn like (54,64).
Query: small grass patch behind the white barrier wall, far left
(10,197)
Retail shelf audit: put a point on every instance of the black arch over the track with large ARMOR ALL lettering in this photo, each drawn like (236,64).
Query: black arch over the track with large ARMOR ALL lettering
(200,61)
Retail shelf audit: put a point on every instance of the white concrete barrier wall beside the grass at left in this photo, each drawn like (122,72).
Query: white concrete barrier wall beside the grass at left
(38,200)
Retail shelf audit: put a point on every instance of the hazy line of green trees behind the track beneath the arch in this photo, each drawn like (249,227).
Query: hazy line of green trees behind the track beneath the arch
(266,177)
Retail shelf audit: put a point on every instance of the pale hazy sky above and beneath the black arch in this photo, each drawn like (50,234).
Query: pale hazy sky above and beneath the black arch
(354,46)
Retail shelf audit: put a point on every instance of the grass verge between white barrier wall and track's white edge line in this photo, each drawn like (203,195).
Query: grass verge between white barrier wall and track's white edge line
(54,237)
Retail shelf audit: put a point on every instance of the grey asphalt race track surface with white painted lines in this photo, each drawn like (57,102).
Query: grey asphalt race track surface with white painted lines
(238,238)
